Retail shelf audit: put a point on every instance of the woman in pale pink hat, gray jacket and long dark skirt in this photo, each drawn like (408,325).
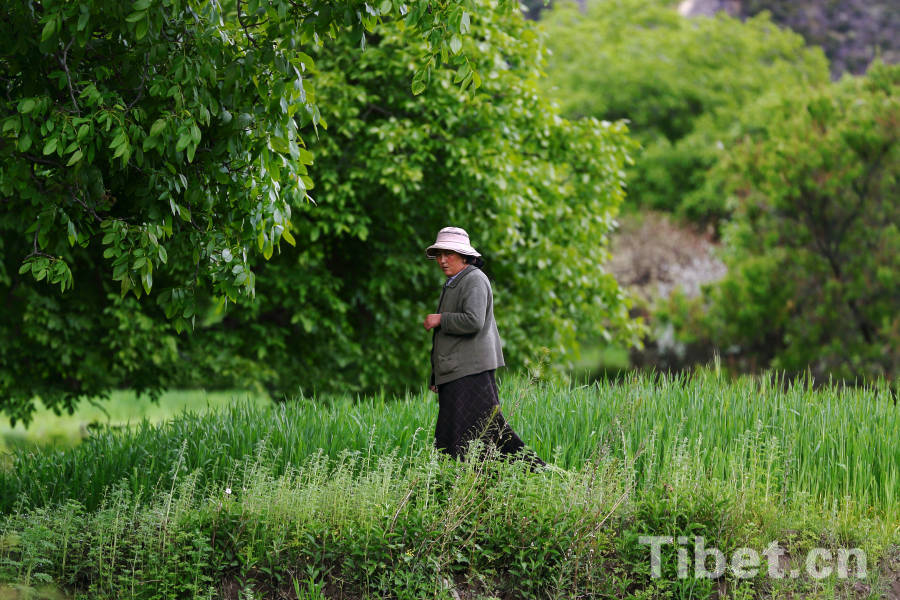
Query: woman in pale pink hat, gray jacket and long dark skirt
(465,353)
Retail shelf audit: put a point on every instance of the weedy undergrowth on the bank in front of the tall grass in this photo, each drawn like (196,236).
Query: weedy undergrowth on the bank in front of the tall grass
(364,525)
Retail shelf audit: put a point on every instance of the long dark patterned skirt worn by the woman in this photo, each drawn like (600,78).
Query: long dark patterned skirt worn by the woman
(470,410)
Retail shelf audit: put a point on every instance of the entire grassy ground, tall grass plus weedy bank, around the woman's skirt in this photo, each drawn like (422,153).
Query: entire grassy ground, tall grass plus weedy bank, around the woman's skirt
(345,495)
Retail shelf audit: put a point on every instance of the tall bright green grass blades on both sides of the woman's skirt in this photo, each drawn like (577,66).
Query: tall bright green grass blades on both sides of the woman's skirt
(833,446)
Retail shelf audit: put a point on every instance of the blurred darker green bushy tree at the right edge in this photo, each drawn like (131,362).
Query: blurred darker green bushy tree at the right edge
(814,250)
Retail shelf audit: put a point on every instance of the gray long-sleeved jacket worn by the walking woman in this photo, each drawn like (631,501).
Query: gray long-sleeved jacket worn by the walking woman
(467,340)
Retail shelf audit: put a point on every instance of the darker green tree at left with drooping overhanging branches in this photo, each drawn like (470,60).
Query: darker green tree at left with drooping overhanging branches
(155,146)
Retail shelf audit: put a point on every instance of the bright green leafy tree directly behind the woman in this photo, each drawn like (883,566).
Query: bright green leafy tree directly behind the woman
(537,194)
